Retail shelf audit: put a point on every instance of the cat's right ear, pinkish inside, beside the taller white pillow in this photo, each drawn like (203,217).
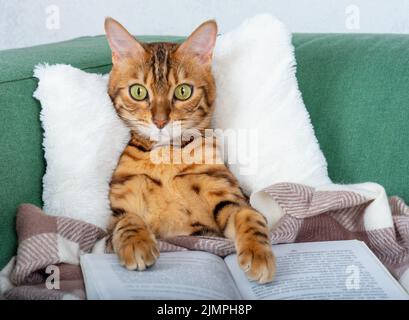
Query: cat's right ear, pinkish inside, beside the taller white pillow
(201,42)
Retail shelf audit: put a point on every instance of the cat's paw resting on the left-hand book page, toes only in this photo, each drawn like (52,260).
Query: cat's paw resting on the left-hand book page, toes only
(139,251)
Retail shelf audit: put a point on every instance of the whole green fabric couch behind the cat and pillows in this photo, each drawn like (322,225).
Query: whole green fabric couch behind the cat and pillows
(356,88)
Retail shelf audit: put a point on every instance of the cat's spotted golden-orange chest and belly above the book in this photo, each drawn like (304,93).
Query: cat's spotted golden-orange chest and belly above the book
(172,196)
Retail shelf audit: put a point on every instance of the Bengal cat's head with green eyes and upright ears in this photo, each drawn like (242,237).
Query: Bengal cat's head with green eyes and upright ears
(156,87)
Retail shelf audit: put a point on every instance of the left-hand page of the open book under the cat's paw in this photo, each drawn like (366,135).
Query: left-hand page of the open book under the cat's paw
(176,275)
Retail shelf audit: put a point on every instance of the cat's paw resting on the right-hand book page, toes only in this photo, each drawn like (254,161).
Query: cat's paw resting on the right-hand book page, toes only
(257,261)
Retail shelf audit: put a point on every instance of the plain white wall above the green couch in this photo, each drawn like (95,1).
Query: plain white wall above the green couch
(29,22)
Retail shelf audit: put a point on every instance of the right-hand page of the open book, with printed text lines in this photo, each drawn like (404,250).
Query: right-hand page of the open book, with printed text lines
(322,270)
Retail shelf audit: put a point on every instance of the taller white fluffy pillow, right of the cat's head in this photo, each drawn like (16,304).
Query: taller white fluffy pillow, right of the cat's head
(257,91)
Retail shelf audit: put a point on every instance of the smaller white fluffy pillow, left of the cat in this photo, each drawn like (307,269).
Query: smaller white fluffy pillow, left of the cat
(83,139)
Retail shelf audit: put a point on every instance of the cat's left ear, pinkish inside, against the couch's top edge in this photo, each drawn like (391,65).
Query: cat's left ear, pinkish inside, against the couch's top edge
(122,43)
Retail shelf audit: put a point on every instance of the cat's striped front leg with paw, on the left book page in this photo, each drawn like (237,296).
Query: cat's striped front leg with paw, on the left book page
(134,243)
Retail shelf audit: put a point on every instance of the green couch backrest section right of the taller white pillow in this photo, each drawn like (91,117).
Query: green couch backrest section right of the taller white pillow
(356,89)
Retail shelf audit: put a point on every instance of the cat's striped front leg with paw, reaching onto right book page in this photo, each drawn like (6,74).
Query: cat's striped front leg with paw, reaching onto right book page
(249,230)
